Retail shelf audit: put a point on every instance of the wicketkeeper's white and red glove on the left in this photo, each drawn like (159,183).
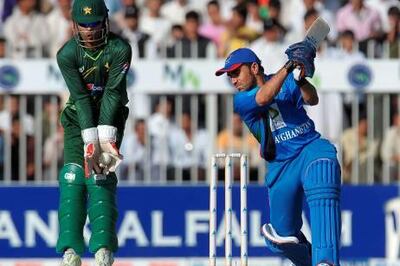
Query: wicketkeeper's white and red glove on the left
(91,151)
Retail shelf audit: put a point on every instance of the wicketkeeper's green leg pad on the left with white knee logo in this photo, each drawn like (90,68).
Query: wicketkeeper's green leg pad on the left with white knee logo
(72,210)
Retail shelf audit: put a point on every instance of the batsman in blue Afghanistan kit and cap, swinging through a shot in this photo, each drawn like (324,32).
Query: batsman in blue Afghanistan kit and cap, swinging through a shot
(301,163)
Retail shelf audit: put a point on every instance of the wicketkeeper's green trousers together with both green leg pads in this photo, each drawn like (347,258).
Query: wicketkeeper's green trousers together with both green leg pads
(80,196)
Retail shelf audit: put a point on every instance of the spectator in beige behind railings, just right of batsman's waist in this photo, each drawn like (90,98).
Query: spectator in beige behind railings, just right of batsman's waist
(363,149)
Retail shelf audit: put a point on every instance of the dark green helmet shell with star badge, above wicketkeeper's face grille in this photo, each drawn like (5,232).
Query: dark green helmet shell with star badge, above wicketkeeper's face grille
(88,11)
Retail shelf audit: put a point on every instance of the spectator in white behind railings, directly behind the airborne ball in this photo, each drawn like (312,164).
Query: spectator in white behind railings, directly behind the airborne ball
(190,148)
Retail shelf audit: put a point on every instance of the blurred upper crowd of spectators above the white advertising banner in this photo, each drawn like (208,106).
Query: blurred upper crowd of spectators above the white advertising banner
(189,28)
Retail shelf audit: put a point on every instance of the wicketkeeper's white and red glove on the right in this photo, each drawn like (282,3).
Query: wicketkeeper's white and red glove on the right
(107,140)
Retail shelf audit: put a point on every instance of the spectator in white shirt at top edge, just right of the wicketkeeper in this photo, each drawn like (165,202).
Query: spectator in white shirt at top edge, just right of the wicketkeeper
(153,23)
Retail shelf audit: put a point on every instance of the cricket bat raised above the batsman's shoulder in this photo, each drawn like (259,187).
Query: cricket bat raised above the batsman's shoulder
(315,35)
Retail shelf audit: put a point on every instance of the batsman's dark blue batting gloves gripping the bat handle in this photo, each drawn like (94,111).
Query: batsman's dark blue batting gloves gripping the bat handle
(304,54)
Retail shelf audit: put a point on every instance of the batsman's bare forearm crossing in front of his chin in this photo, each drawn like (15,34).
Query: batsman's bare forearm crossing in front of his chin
(271,88)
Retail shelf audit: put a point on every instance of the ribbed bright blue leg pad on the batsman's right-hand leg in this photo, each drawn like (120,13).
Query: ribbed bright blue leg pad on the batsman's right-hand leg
(322,190)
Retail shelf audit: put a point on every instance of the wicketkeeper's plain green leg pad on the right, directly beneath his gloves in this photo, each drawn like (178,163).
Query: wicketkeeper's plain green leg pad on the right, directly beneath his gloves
(103,216)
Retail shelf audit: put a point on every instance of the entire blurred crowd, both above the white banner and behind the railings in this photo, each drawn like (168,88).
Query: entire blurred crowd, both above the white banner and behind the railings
(166,146)
